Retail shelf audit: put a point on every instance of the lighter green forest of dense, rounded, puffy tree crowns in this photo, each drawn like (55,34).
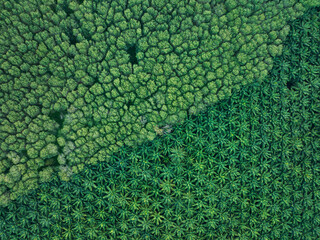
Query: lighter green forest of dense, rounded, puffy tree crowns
(79,79)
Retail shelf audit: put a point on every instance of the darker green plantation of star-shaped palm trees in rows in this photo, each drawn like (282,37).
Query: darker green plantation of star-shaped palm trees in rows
(247,168)
